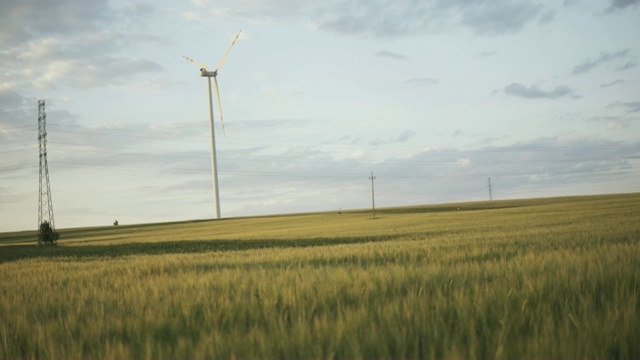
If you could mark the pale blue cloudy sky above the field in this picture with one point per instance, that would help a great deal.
(434, 97)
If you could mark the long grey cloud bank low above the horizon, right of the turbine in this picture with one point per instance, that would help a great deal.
(455, 174)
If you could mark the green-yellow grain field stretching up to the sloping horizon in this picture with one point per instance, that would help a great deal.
(540, 278)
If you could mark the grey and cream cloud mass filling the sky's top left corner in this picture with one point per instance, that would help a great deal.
(70, 43)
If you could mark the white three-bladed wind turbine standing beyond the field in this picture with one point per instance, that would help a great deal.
(206, 72)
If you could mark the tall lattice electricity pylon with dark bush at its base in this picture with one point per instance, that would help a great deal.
(46, 225)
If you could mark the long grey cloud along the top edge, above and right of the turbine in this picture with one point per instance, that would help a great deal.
(385, 19)
